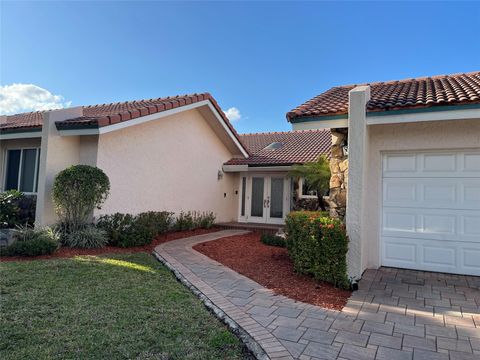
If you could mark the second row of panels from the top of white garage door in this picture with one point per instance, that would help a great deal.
(450, 193)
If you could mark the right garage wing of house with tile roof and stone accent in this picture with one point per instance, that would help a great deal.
(408, 152)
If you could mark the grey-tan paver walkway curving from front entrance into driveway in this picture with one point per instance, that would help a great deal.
(395, 314)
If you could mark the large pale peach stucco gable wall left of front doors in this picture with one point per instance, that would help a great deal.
(168, 164)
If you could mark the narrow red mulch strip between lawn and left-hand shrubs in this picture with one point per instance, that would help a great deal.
(66, 252)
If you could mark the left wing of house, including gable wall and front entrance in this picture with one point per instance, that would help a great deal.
(176, 153)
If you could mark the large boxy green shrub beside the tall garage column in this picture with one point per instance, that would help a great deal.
(318, 246)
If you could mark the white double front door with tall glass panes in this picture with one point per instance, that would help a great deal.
(264, 198)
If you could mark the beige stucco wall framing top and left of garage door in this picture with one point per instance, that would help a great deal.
(444, 135)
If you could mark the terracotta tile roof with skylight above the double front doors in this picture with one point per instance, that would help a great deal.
(296, 147)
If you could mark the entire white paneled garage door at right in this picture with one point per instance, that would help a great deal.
(431, 211)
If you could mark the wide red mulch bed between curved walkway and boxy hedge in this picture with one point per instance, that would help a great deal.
(271, 267)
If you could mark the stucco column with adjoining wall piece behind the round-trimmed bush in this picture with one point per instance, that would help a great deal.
(56, 153)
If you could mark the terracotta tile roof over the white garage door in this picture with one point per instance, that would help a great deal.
(394, 95)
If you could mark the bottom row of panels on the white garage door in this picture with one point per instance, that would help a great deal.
(424, 254)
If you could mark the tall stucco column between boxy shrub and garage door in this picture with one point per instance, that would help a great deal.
(357, 151)
